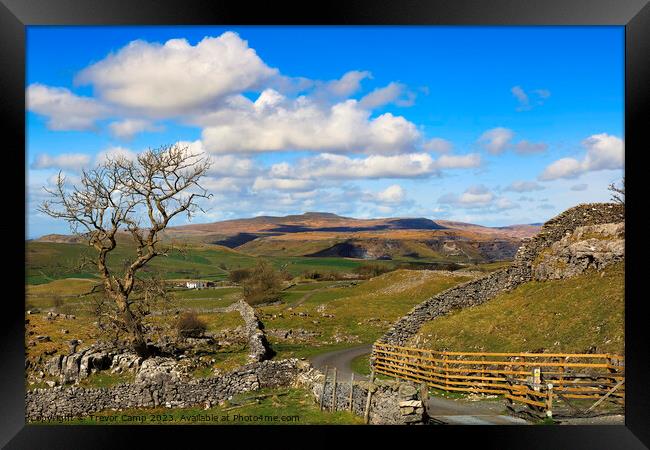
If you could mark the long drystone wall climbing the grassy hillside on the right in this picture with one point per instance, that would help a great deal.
(478, 291)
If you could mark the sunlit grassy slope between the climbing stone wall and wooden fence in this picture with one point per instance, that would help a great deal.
(570, 315)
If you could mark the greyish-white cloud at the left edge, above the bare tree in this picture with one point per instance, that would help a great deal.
(63, 109)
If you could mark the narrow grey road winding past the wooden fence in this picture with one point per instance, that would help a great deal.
(441, 410)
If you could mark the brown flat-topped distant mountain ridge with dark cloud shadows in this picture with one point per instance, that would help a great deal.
(319, 234)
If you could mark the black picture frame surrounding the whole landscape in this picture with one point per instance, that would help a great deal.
(634, 15)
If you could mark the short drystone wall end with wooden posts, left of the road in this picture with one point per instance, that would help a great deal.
(391, 402)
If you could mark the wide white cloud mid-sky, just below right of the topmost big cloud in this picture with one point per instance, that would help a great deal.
(276, 123)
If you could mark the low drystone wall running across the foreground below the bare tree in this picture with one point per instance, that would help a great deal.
(160, 389)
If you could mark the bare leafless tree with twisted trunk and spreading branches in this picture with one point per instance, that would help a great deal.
(135, 197)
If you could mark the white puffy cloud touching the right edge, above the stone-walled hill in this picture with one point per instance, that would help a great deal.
(603, 152)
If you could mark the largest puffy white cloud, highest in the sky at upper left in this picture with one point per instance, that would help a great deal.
(176, 77)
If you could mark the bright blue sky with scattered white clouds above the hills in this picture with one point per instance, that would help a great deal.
(490, 125)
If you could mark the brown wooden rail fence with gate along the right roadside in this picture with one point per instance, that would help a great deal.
(536, 380)
